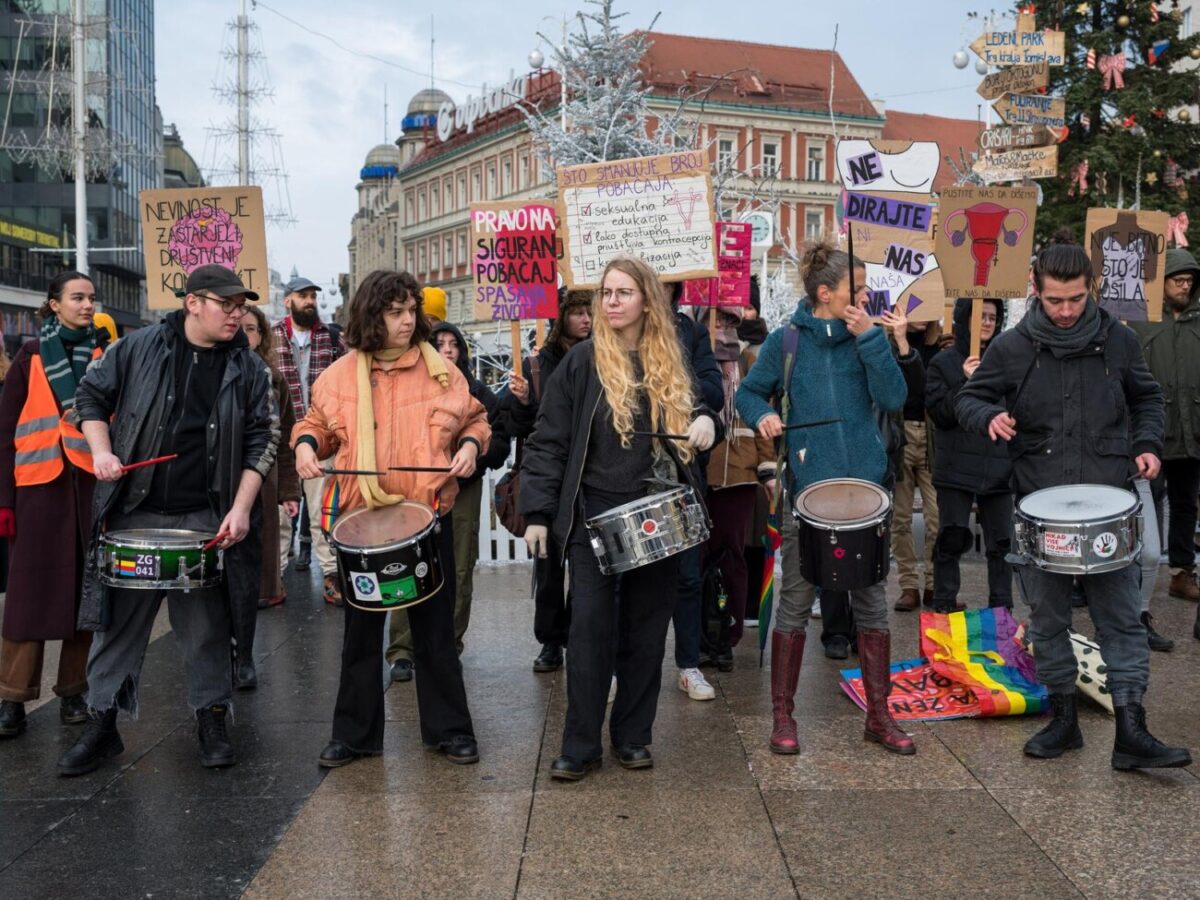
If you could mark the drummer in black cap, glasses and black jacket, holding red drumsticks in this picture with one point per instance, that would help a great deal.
(189, 387)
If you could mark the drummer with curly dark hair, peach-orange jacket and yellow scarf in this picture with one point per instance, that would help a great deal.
(395, 401)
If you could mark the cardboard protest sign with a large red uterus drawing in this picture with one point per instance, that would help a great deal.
(986, 241)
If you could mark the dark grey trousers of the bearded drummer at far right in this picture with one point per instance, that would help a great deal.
(1115, 607)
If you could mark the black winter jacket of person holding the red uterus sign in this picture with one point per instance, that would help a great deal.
(963, 460)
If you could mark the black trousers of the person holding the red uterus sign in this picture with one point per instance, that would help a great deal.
(955, 538)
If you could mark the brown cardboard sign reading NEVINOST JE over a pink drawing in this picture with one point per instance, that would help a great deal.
(187, 229)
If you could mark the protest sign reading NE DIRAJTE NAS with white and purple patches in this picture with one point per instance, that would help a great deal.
(889, 209)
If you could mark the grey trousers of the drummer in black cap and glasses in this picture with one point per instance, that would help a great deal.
(200, 620)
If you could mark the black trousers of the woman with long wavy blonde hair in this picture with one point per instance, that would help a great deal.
(622, 632)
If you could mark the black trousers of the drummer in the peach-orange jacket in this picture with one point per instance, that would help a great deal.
(441, 695)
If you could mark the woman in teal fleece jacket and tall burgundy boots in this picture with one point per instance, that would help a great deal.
(845, 371)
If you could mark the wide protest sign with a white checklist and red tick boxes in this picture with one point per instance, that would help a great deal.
(658, 208)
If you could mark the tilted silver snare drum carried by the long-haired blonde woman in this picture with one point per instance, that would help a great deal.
(649, 530)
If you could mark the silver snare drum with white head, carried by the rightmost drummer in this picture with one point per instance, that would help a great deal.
(1079, 530)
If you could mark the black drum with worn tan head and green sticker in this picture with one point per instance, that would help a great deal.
(388, 557)
